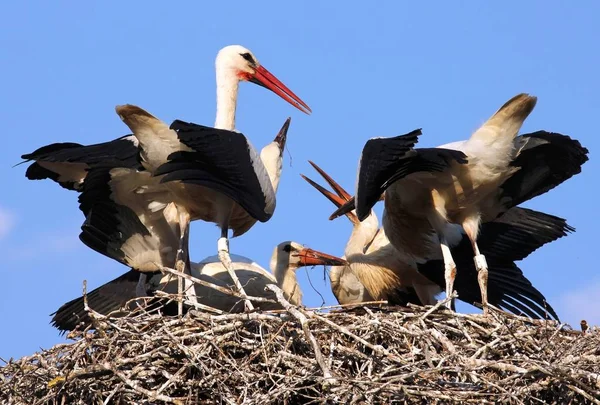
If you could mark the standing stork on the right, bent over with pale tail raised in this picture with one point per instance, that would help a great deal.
(503, 170)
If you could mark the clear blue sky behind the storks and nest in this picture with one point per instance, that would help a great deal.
(365, 68)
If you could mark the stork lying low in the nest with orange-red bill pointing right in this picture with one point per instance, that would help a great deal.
(286, 259)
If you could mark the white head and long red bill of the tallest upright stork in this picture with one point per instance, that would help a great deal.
(239, 62)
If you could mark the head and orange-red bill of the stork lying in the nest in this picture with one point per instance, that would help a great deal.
(293, 255)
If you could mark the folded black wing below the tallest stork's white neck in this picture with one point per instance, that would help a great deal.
(220, 161)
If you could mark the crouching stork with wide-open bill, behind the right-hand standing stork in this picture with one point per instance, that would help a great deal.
(374, 265)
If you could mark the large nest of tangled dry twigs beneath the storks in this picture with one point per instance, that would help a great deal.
(367, 354)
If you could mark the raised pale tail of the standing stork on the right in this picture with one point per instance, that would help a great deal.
(507, 121)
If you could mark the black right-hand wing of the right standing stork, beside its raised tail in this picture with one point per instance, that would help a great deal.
(546, 160)
